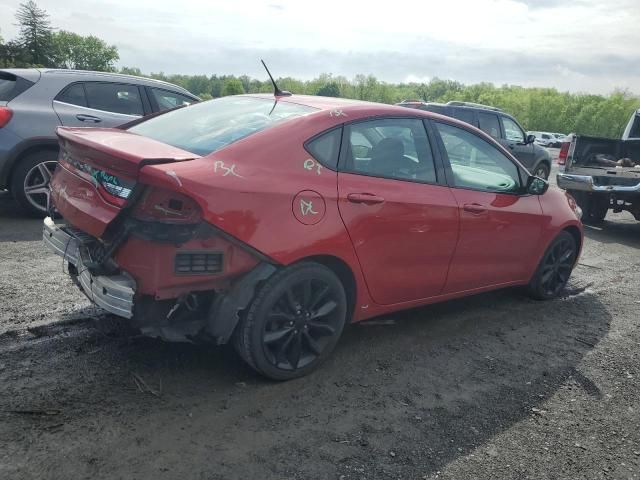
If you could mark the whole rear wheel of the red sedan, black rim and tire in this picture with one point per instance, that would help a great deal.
(294, 321)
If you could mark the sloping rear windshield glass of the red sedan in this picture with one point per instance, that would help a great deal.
(209, 126)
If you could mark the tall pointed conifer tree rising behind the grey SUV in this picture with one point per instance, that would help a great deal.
(35, 32)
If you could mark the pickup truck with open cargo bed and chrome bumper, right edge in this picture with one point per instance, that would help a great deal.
(603, 174)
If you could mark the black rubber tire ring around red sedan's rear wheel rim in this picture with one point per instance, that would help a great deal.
(264, 300)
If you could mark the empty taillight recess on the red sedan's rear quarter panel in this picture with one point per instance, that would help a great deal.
(166, 206)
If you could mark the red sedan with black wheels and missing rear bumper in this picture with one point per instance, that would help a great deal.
(274, 221)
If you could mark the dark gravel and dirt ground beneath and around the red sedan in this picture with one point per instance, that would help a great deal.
(495, 386)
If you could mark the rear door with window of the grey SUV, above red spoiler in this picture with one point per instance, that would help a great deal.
(98, 104)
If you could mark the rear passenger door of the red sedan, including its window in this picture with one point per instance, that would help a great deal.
(402, 219)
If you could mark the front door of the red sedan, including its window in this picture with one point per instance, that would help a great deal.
(500, 228)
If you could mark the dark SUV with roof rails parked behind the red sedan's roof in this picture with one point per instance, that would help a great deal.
(498, 124)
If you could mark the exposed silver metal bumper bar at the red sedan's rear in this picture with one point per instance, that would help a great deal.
(113, 293)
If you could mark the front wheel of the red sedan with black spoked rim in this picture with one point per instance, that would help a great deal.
(555, 268)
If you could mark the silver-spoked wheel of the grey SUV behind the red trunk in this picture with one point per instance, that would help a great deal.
(30, 181)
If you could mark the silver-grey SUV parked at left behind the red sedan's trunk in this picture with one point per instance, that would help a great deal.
(33, 102)
